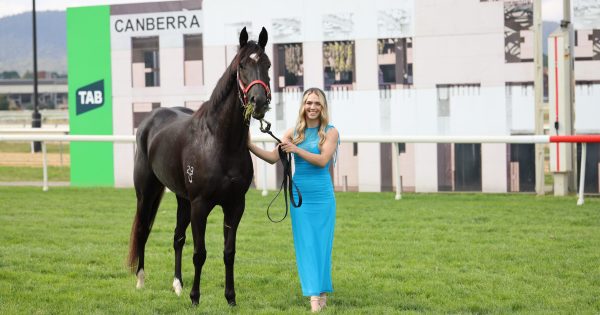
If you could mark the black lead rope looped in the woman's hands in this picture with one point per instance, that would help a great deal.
(287, 183)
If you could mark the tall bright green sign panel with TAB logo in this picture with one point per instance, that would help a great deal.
(90, 95)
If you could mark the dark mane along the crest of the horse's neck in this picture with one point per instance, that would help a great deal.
(227, 82)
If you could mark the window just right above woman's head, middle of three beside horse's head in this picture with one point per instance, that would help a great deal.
(339, 66)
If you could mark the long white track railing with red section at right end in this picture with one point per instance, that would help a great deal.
(584, 139)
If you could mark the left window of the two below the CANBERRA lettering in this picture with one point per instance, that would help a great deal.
(145, 62)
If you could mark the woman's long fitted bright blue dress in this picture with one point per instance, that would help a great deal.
(313, 222)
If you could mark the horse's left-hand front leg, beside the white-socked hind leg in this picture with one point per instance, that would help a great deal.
(199, 213)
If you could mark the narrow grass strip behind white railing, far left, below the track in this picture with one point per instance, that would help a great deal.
(27, 174)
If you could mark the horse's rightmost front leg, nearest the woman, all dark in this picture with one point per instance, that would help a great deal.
(232, 215)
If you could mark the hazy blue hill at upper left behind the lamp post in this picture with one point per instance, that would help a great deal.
(16, 38)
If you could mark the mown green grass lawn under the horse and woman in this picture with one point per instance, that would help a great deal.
(63, 252)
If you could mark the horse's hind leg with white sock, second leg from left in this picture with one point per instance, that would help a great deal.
(183, 220)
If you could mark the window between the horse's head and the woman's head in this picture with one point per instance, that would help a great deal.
(289, 67)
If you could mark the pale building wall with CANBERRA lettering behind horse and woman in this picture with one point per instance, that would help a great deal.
(458, 47)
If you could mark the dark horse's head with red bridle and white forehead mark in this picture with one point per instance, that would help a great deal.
(253, 74)
